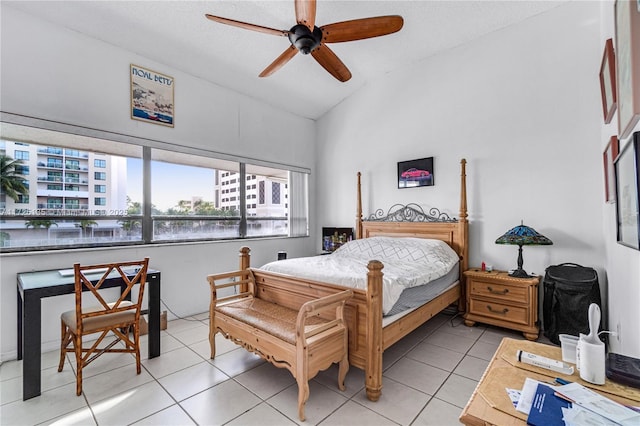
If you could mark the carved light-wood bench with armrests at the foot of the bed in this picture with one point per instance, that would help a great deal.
(304, 341)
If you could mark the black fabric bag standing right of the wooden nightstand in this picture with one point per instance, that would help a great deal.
(569, 289)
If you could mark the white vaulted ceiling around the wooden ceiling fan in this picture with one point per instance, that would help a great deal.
(177, 34)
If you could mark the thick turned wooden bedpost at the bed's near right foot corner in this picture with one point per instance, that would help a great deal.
(373, 366)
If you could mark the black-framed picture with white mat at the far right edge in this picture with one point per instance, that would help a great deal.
(627, 194)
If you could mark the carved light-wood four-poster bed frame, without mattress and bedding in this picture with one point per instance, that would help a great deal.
(368, 338)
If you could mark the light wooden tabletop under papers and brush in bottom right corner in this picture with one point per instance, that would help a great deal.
(489, 403)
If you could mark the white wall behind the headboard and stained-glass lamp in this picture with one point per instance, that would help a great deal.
(522, 105)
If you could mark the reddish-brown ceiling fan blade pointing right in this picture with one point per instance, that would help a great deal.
(359, 29)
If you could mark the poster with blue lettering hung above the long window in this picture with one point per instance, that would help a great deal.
(151, 96)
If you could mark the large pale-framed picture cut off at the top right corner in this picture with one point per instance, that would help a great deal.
(627, 31)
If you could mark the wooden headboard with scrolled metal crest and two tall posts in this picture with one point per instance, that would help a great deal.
(411, 221)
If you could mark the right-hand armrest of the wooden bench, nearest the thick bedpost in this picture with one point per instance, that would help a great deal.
(314, 307)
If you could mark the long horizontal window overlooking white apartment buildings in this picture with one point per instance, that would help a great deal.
(192, 195)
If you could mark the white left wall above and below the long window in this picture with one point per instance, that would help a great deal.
(55, 74)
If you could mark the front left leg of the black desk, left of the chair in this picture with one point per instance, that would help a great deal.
(31, 363)
